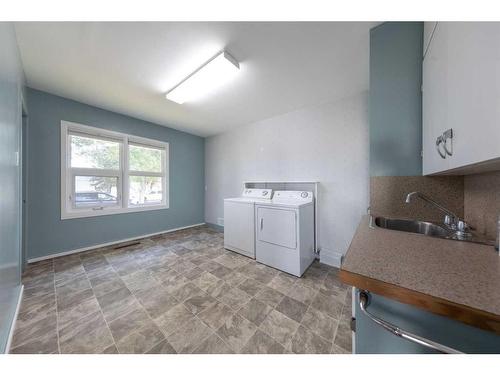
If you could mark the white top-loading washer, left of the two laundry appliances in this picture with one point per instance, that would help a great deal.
(239, 220)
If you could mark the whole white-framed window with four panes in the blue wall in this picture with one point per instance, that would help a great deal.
(104, 172)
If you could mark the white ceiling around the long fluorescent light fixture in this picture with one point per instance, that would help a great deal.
(128, 67)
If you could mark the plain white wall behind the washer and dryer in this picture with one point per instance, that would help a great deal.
(326, 143)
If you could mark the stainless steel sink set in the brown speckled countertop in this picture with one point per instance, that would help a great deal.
(427, 229)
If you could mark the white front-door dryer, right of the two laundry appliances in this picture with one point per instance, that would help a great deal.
(285, 231)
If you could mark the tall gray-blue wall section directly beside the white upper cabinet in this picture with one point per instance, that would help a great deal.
(396, 99)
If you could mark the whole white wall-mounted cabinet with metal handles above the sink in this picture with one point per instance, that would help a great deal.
(461, 91)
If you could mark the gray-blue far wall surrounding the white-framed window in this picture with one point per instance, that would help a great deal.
(47, 233)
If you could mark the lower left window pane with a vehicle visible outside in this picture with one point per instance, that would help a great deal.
(95, 191)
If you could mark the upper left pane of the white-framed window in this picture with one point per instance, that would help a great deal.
(94, 153)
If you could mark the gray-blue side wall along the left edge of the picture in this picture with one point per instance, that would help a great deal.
(11, 83)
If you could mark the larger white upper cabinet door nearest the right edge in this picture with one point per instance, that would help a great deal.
(474, 88)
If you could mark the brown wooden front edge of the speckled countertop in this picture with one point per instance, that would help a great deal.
(465, 314)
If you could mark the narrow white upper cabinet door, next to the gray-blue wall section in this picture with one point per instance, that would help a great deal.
(434, 100)
